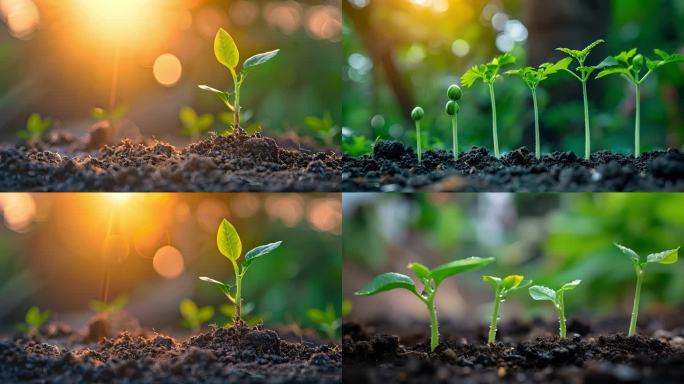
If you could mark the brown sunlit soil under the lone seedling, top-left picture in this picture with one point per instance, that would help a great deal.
(239, 162)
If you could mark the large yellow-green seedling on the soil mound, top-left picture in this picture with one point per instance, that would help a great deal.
(227, 53)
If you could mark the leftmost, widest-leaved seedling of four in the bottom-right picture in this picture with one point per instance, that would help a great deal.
(431, 279)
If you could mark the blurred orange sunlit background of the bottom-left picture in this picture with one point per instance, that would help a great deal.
(51, 254)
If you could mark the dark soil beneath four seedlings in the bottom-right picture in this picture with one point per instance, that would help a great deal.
(522, 357)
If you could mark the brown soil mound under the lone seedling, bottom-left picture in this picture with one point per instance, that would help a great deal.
(233, 355)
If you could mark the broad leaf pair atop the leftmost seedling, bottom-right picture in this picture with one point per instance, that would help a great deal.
(393, 280)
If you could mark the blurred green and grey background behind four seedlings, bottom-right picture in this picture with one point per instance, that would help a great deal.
(550, 238)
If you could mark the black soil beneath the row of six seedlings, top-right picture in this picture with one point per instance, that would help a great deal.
(395, 167)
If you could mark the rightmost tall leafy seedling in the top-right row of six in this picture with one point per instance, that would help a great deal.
(630, 64)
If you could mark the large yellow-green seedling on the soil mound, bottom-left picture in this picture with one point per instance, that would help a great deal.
(230, 246)
